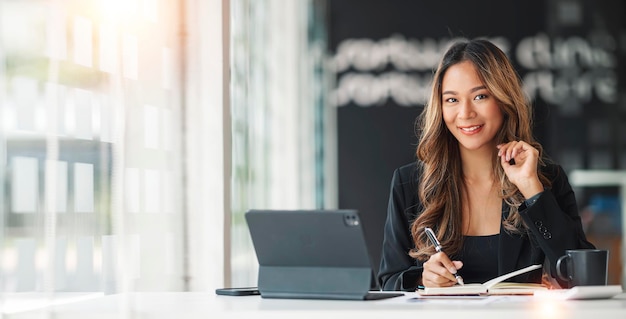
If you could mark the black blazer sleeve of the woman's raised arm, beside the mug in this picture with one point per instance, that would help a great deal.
(553, 220)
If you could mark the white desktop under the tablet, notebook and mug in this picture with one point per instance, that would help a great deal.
(208, 305)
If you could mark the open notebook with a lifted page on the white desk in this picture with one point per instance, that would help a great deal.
(495, 286)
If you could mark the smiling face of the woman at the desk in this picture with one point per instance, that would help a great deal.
(470, 112)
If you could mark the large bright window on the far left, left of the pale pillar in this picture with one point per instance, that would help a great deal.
(90, 105)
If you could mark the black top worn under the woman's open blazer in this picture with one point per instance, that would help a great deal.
(480, 258)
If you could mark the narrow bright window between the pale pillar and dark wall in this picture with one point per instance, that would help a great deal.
(281, 158)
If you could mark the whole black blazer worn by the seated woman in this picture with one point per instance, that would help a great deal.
(553, 221)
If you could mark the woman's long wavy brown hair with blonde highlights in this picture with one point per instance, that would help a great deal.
(441, 182)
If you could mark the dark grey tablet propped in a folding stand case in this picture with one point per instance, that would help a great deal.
(311, 254)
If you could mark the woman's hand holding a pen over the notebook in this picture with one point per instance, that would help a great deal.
(438, 271)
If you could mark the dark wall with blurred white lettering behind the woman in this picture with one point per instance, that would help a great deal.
(568, 52)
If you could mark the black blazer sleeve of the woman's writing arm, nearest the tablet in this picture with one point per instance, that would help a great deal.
(398, 270)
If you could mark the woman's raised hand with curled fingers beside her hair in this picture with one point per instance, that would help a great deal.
(522, 170)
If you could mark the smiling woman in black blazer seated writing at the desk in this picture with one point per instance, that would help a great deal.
(481, 182)
